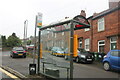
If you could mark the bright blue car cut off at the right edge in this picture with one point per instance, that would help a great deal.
(112, 60)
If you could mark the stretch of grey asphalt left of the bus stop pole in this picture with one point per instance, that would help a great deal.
(19, 64)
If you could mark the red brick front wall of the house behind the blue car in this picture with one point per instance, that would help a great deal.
(111, 28)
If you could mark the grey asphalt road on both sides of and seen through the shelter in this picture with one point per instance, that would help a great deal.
(80, 70)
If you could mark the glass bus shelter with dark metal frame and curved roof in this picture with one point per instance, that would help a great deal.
(55, 42)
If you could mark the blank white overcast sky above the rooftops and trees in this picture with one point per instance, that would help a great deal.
(13, 13)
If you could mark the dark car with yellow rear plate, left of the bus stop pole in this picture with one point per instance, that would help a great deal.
(18, 52)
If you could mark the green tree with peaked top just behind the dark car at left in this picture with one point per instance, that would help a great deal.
(13, 40)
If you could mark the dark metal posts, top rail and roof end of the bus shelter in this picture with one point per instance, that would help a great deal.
(81, 24)
